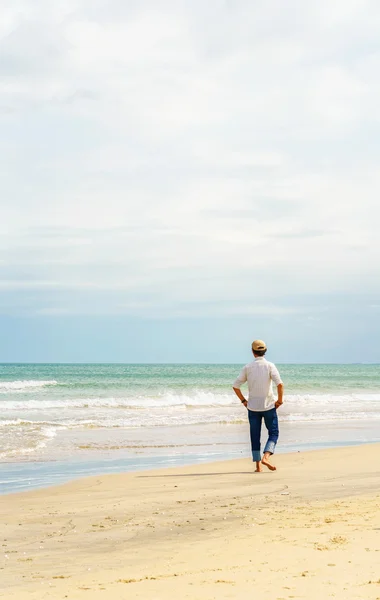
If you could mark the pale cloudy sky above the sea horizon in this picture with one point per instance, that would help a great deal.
(180, 177)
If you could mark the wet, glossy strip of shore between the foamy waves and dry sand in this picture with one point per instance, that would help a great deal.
(73, 454)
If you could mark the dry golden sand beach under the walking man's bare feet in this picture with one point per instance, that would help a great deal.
(310, 530)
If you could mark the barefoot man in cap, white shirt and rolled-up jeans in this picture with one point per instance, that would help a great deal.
(261, 403)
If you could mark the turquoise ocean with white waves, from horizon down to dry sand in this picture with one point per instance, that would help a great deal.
(62, 421)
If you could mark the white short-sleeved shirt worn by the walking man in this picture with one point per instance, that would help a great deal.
(259, 374)
